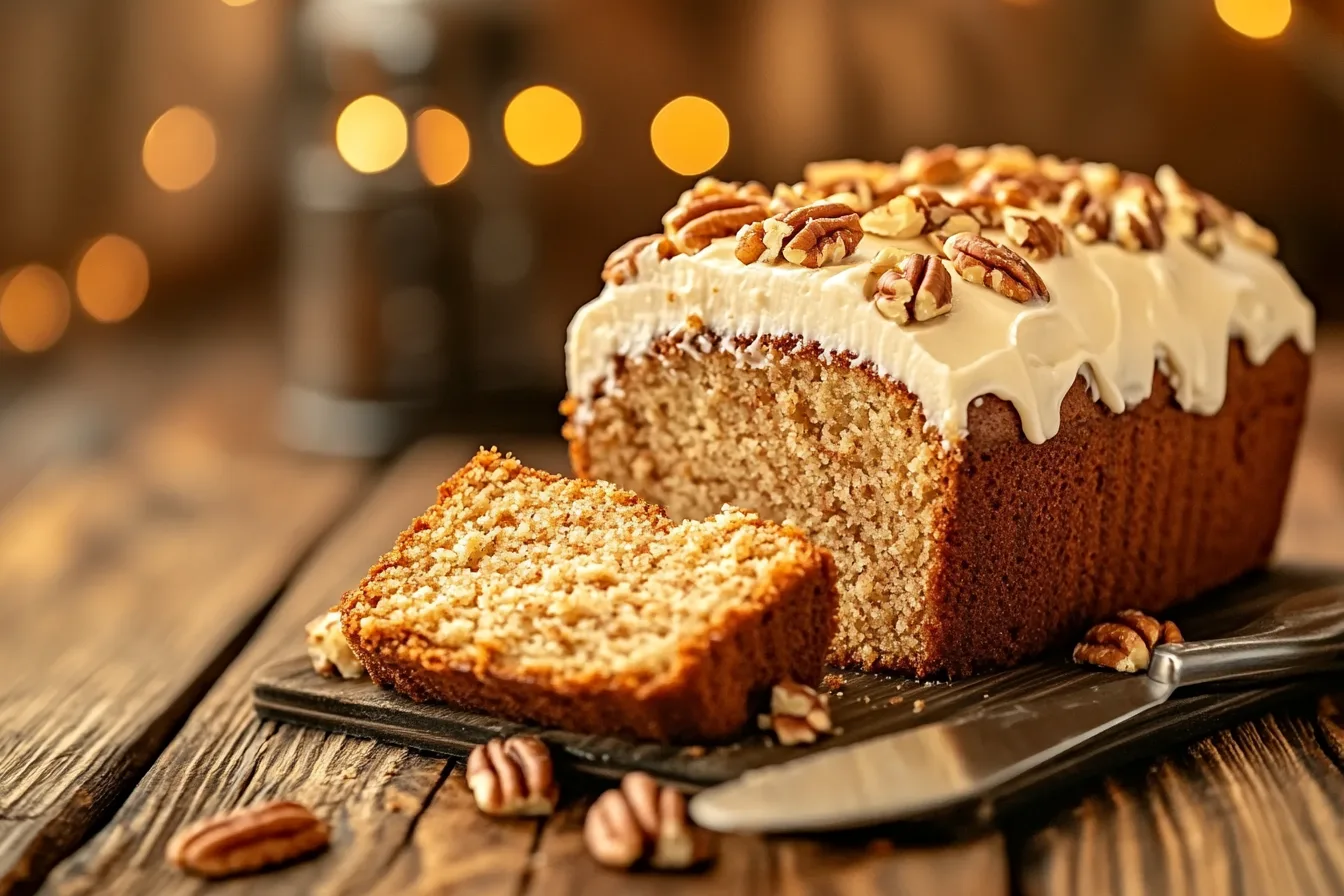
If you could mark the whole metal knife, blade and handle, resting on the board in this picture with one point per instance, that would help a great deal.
(943, 765)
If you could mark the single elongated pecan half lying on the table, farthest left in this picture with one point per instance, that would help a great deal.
(248, 840)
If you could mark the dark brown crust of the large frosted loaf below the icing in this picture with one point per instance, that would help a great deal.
(1143, 510)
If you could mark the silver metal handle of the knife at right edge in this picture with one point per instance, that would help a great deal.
(1302, 635)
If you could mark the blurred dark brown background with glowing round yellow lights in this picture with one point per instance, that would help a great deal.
(409, 199)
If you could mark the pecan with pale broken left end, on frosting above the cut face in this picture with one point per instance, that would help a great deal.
(812, 236)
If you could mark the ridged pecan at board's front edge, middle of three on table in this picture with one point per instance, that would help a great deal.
(513, 777)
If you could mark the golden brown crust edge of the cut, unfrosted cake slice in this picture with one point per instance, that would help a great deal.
(782, 632)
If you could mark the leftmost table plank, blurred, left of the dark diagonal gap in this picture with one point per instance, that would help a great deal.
(130, 578)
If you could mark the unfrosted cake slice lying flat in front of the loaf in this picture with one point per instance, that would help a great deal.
(579, 605)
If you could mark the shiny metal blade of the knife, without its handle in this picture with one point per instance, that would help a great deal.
(925, 769)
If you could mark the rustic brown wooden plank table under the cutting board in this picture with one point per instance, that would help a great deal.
(158, 547)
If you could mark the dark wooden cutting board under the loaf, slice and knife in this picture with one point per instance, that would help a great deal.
(864, 706)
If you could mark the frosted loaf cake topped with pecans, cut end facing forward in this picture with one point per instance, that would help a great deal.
(1013, 394)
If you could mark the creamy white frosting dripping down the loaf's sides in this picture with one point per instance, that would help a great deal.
(1114, 315)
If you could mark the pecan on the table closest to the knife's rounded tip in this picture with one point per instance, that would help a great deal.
(642, 820)
